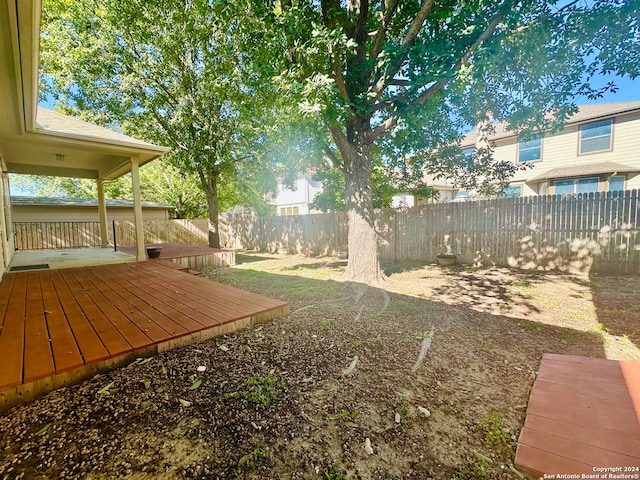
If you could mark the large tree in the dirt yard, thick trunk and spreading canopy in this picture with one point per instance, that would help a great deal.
(401, 79)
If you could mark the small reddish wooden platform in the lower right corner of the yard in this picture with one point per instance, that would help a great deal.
(583, 415)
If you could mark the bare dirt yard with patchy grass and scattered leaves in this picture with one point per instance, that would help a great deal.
(337, 389)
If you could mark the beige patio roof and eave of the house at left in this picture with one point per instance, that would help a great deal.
(38, 141)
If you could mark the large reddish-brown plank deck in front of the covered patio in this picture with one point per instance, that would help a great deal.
(59, 326)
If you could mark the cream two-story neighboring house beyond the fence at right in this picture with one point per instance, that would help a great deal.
(597, 151)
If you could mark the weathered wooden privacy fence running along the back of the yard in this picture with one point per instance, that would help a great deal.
(597, 231)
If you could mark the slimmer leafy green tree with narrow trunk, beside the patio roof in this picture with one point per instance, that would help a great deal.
(173, 72)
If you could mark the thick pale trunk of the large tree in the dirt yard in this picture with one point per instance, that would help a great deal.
(363, 264)
